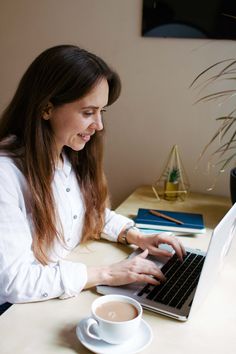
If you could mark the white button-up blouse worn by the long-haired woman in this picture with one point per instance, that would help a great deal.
(22, 277)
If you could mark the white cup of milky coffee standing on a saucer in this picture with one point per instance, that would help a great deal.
(115, 319)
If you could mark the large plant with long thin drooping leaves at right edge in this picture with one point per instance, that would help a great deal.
(225, 154)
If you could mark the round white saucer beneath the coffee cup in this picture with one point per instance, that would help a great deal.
(135, 344)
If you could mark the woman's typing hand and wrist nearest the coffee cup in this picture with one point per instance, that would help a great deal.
(136, 269)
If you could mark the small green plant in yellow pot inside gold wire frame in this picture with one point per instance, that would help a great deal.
(172, 183)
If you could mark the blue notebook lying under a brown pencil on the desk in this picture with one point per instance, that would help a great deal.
(187, 222)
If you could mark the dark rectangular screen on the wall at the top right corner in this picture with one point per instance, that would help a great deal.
(189, 18)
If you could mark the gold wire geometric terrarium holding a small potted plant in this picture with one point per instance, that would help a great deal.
(173, 183)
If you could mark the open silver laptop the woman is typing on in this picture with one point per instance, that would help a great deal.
(188, 282)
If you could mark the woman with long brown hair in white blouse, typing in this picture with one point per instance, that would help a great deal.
(53, 192)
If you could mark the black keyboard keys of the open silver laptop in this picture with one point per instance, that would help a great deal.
(181, 280)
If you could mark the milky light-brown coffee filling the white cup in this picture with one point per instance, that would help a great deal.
(117, 311)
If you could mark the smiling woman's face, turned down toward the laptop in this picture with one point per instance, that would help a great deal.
(74, 123)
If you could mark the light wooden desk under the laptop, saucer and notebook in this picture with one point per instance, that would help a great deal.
(49, 327)
